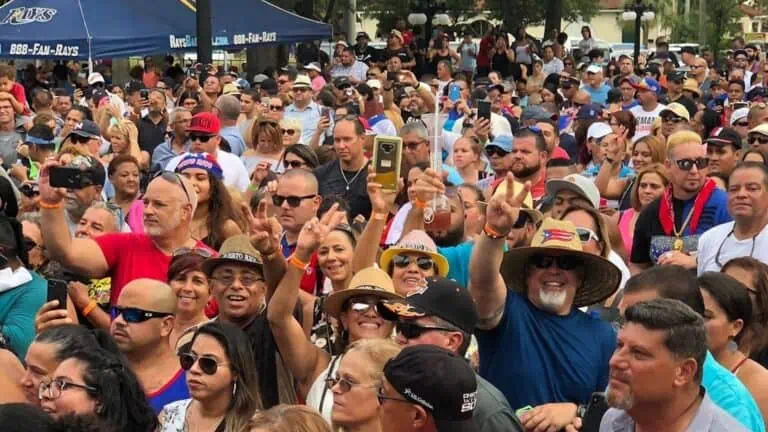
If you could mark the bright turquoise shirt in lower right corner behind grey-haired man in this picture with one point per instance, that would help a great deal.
(728, 392)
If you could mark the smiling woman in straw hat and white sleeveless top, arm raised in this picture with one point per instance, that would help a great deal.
(354, 308)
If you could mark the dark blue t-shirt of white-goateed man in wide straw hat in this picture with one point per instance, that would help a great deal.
(535, 357)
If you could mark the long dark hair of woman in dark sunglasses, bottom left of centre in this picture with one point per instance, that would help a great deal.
(246, 399)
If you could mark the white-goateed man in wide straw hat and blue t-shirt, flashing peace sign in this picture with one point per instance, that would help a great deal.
(534, 343)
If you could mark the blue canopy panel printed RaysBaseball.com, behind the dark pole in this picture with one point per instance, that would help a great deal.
(238, 24)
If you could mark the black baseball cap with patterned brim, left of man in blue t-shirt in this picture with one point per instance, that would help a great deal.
(439, 297)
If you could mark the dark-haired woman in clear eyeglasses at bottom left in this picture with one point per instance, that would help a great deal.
(97, 381)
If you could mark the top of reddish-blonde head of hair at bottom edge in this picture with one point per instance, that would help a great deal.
(289, 418)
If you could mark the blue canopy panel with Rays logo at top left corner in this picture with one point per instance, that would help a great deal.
(83, 29)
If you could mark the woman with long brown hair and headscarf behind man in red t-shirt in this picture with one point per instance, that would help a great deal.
(215, 218)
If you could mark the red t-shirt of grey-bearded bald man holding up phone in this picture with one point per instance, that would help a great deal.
(134, 256)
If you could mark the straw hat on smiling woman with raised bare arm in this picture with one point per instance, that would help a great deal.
(370, 281)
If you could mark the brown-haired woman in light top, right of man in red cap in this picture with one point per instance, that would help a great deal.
(267, 147)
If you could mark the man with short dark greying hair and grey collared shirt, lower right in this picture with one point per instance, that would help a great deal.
(656, 373)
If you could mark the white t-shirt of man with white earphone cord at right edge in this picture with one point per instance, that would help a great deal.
(721, 238)
